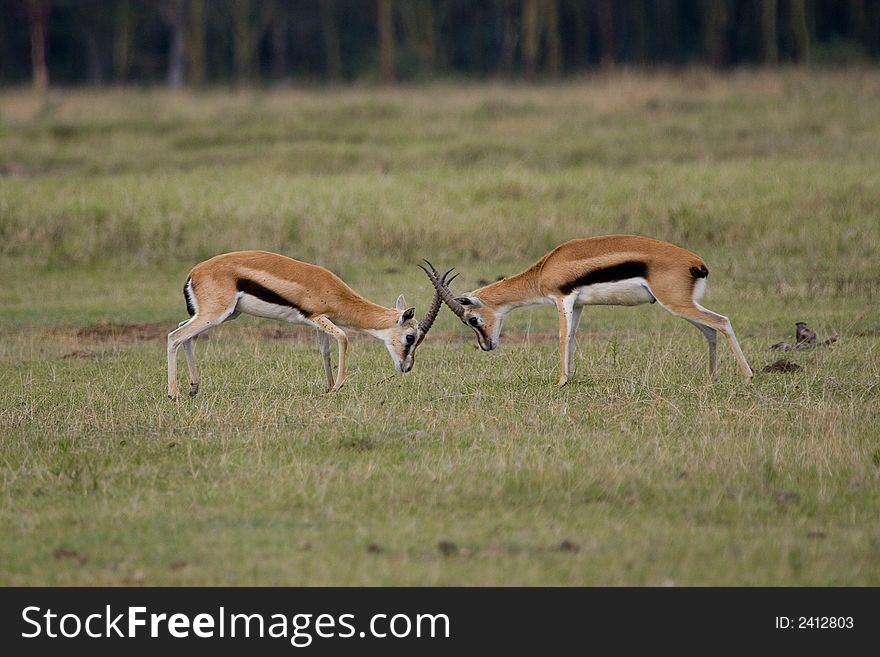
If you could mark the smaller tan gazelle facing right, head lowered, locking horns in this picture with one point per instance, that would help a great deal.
(270, 285)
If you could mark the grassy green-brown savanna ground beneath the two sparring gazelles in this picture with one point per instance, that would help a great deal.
(474, 468)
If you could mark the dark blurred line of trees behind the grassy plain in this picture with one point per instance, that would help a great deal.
(198, 42)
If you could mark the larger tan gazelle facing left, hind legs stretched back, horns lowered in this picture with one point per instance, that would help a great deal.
(621, 270)
